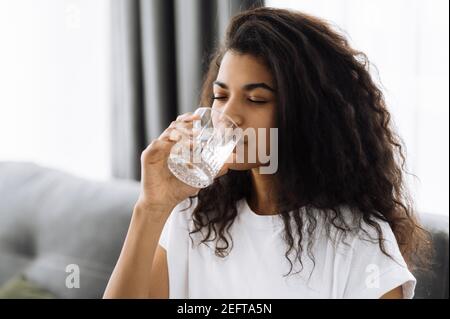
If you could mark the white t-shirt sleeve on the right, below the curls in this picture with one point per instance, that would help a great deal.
(372, 273)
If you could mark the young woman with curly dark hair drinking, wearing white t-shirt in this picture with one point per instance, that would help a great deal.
(334, 220)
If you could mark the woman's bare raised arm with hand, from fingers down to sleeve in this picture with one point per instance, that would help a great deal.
(141, 271)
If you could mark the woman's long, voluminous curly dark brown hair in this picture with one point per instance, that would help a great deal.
(337, 147)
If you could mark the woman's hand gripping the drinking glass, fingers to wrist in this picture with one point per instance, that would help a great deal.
(160, 189)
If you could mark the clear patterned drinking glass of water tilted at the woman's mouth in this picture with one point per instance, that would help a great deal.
(198, 160)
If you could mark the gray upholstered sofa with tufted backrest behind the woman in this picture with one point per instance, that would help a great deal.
(50, 219)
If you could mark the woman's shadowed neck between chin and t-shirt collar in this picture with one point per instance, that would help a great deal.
(263, 199)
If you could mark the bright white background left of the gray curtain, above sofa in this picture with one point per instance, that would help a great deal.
(54, 84)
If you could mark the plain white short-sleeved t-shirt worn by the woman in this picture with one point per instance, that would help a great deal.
(256, 265)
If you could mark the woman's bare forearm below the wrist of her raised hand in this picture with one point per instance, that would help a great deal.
(131, 275)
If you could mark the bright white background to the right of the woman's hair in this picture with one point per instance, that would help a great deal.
(408, 41)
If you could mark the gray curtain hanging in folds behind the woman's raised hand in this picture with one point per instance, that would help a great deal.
(160, 51)
